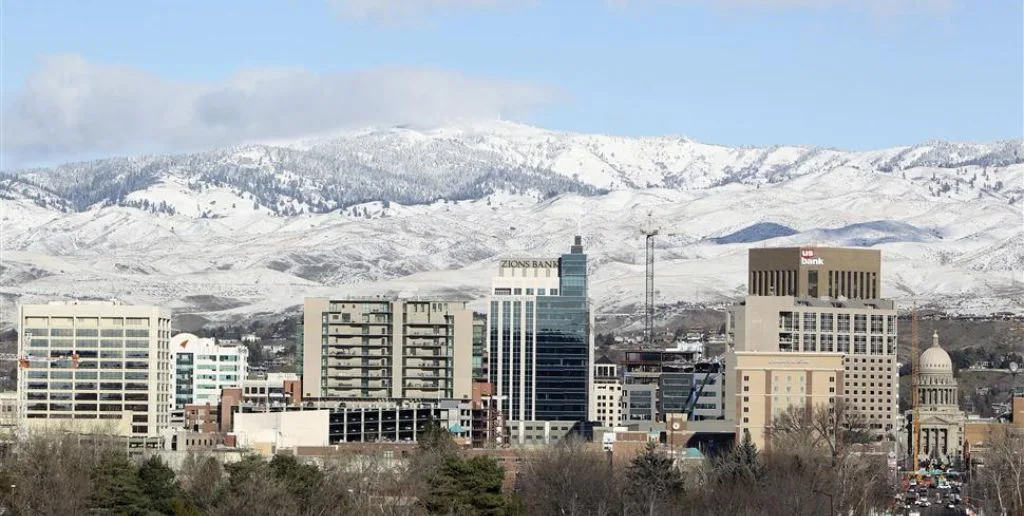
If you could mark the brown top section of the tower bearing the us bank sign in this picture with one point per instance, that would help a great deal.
(816, 273)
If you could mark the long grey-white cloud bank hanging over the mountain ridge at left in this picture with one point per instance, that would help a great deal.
(71, 107)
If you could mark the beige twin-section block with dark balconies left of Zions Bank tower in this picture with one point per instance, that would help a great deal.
(378, 349)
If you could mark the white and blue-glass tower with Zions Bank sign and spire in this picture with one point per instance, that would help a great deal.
(542, 347)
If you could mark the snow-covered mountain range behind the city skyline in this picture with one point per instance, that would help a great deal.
(253, 230)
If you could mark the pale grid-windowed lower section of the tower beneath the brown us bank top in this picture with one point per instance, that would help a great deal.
(864, 332)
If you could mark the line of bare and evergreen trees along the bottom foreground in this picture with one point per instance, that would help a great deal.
(814, 468)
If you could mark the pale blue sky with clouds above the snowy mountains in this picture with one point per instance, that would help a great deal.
(93, 79)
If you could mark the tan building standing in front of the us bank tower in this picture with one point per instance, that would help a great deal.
(760, 386)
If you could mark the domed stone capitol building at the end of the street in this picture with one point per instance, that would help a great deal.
(942, 419)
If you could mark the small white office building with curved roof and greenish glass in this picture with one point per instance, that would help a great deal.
(202, 369)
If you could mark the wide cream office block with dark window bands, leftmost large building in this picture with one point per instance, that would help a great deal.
(91, 366)
